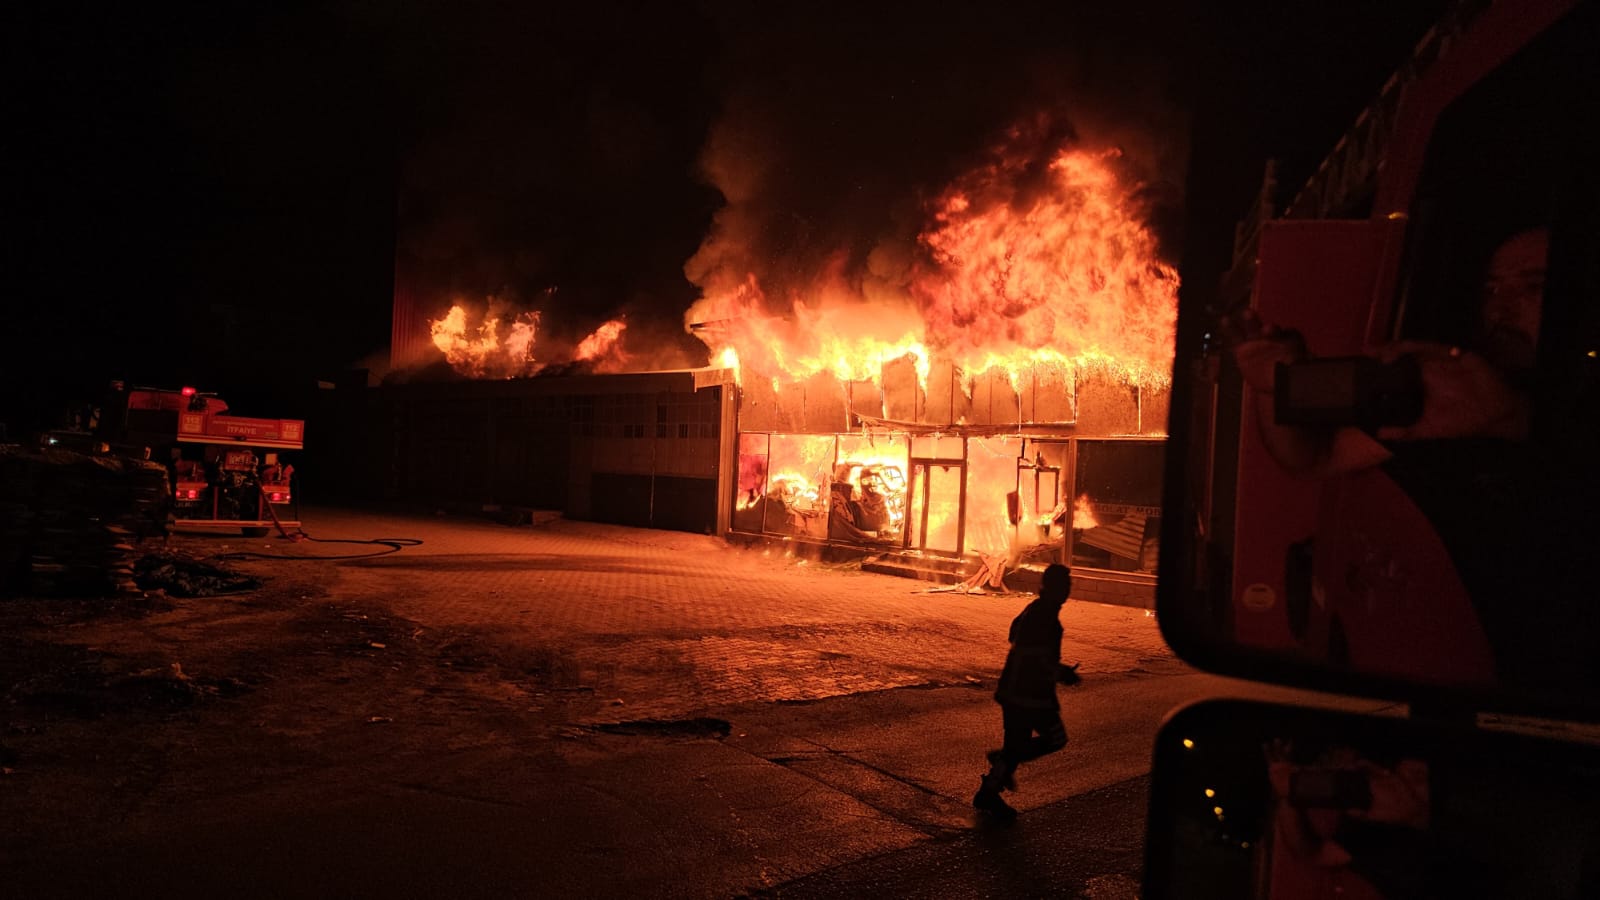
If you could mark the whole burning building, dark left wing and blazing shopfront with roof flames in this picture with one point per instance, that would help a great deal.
(988, 388)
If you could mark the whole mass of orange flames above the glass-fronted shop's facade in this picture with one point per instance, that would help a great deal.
(1025, 265)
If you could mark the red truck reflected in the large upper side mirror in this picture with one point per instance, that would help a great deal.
(1386, 569)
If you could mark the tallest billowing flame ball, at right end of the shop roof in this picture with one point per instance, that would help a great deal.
(1062, 271)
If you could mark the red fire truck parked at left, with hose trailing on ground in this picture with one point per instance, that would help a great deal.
(226, 472)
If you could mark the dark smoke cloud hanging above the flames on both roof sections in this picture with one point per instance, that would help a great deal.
(633, 158)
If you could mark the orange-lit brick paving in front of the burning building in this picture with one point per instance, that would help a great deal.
(670, 625)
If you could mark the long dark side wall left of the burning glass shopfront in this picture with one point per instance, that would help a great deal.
(628, 449)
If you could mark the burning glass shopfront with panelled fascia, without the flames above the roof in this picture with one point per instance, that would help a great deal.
(996, 476)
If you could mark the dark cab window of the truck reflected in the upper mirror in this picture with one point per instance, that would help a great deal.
(1513, 156)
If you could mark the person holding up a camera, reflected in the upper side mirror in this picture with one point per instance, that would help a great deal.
(1506, 504)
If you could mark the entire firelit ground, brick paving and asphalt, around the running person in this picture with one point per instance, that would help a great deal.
(582, 710)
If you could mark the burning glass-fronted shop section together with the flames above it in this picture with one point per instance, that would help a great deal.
(993, 395)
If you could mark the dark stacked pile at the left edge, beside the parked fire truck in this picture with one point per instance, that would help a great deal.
(70, 521)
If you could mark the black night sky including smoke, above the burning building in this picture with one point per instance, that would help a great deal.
(217, 195)
